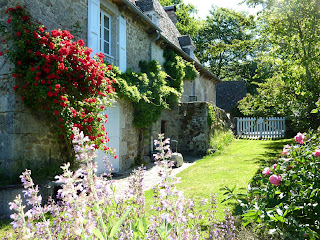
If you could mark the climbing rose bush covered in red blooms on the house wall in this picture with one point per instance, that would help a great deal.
(57, 77)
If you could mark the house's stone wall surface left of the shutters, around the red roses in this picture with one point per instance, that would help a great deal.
(25, 139)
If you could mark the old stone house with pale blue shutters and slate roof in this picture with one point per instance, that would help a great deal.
(126, 31)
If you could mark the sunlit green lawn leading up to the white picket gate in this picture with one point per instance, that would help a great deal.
(235, 165)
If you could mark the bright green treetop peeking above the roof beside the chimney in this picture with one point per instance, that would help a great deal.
(187, 24)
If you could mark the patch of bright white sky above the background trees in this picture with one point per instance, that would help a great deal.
(203, 6)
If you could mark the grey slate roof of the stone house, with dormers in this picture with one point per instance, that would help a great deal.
(168, 31)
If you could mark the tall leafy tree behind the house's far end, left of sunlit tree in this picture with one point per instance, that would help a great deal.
(226, 45)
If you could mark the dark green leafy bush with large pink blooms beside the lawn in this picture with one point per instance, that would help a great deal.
(284, 198)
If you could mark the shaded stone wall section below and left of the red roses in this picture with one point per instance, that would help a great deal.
(25, 140)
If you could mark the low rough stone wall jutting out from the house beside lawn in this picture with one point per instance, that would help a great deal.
(188, 124)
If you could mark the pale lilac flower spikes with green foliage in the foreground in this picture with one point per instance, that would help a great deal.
(88, 209)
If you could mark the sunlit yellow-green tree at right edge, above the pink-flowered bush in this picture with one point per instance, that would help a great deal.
(291, 32)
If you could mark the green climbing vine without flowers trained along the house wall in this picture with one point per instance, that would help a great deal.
(153, 90)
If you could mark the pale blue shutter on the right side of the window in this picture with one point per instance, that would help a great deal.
(122, 44)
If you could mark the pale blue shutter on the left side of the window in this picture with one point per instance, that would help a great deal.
(94, 25)
